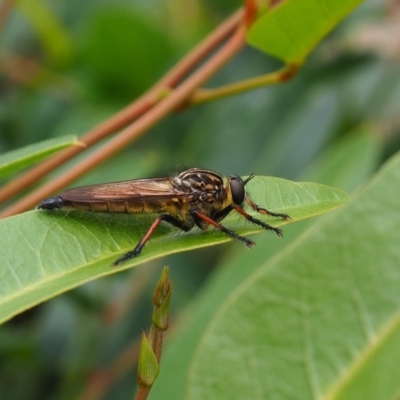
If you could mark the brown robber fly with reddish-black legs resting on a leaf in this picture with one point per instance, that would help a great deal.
(195, 197)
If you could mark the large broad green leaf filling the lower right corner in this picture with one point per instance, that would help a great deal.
(319, 320)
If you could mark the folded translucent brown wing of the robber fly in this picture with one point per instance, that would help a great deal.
(143, 189)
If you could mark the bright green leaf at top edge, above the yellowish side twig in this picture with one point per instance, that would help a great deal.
(291, 30)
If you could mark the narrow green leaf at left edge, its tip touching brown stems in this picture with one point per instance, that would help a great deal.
(16, 160)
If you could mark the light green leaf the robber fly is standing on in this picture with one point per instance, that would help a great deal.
(45, 253)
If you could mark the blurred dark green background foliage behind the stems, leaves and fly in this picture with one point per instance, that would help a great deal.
(67, 66)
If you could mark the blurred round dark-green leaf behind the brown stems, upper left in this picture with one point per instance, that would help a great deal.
(124, 51)
